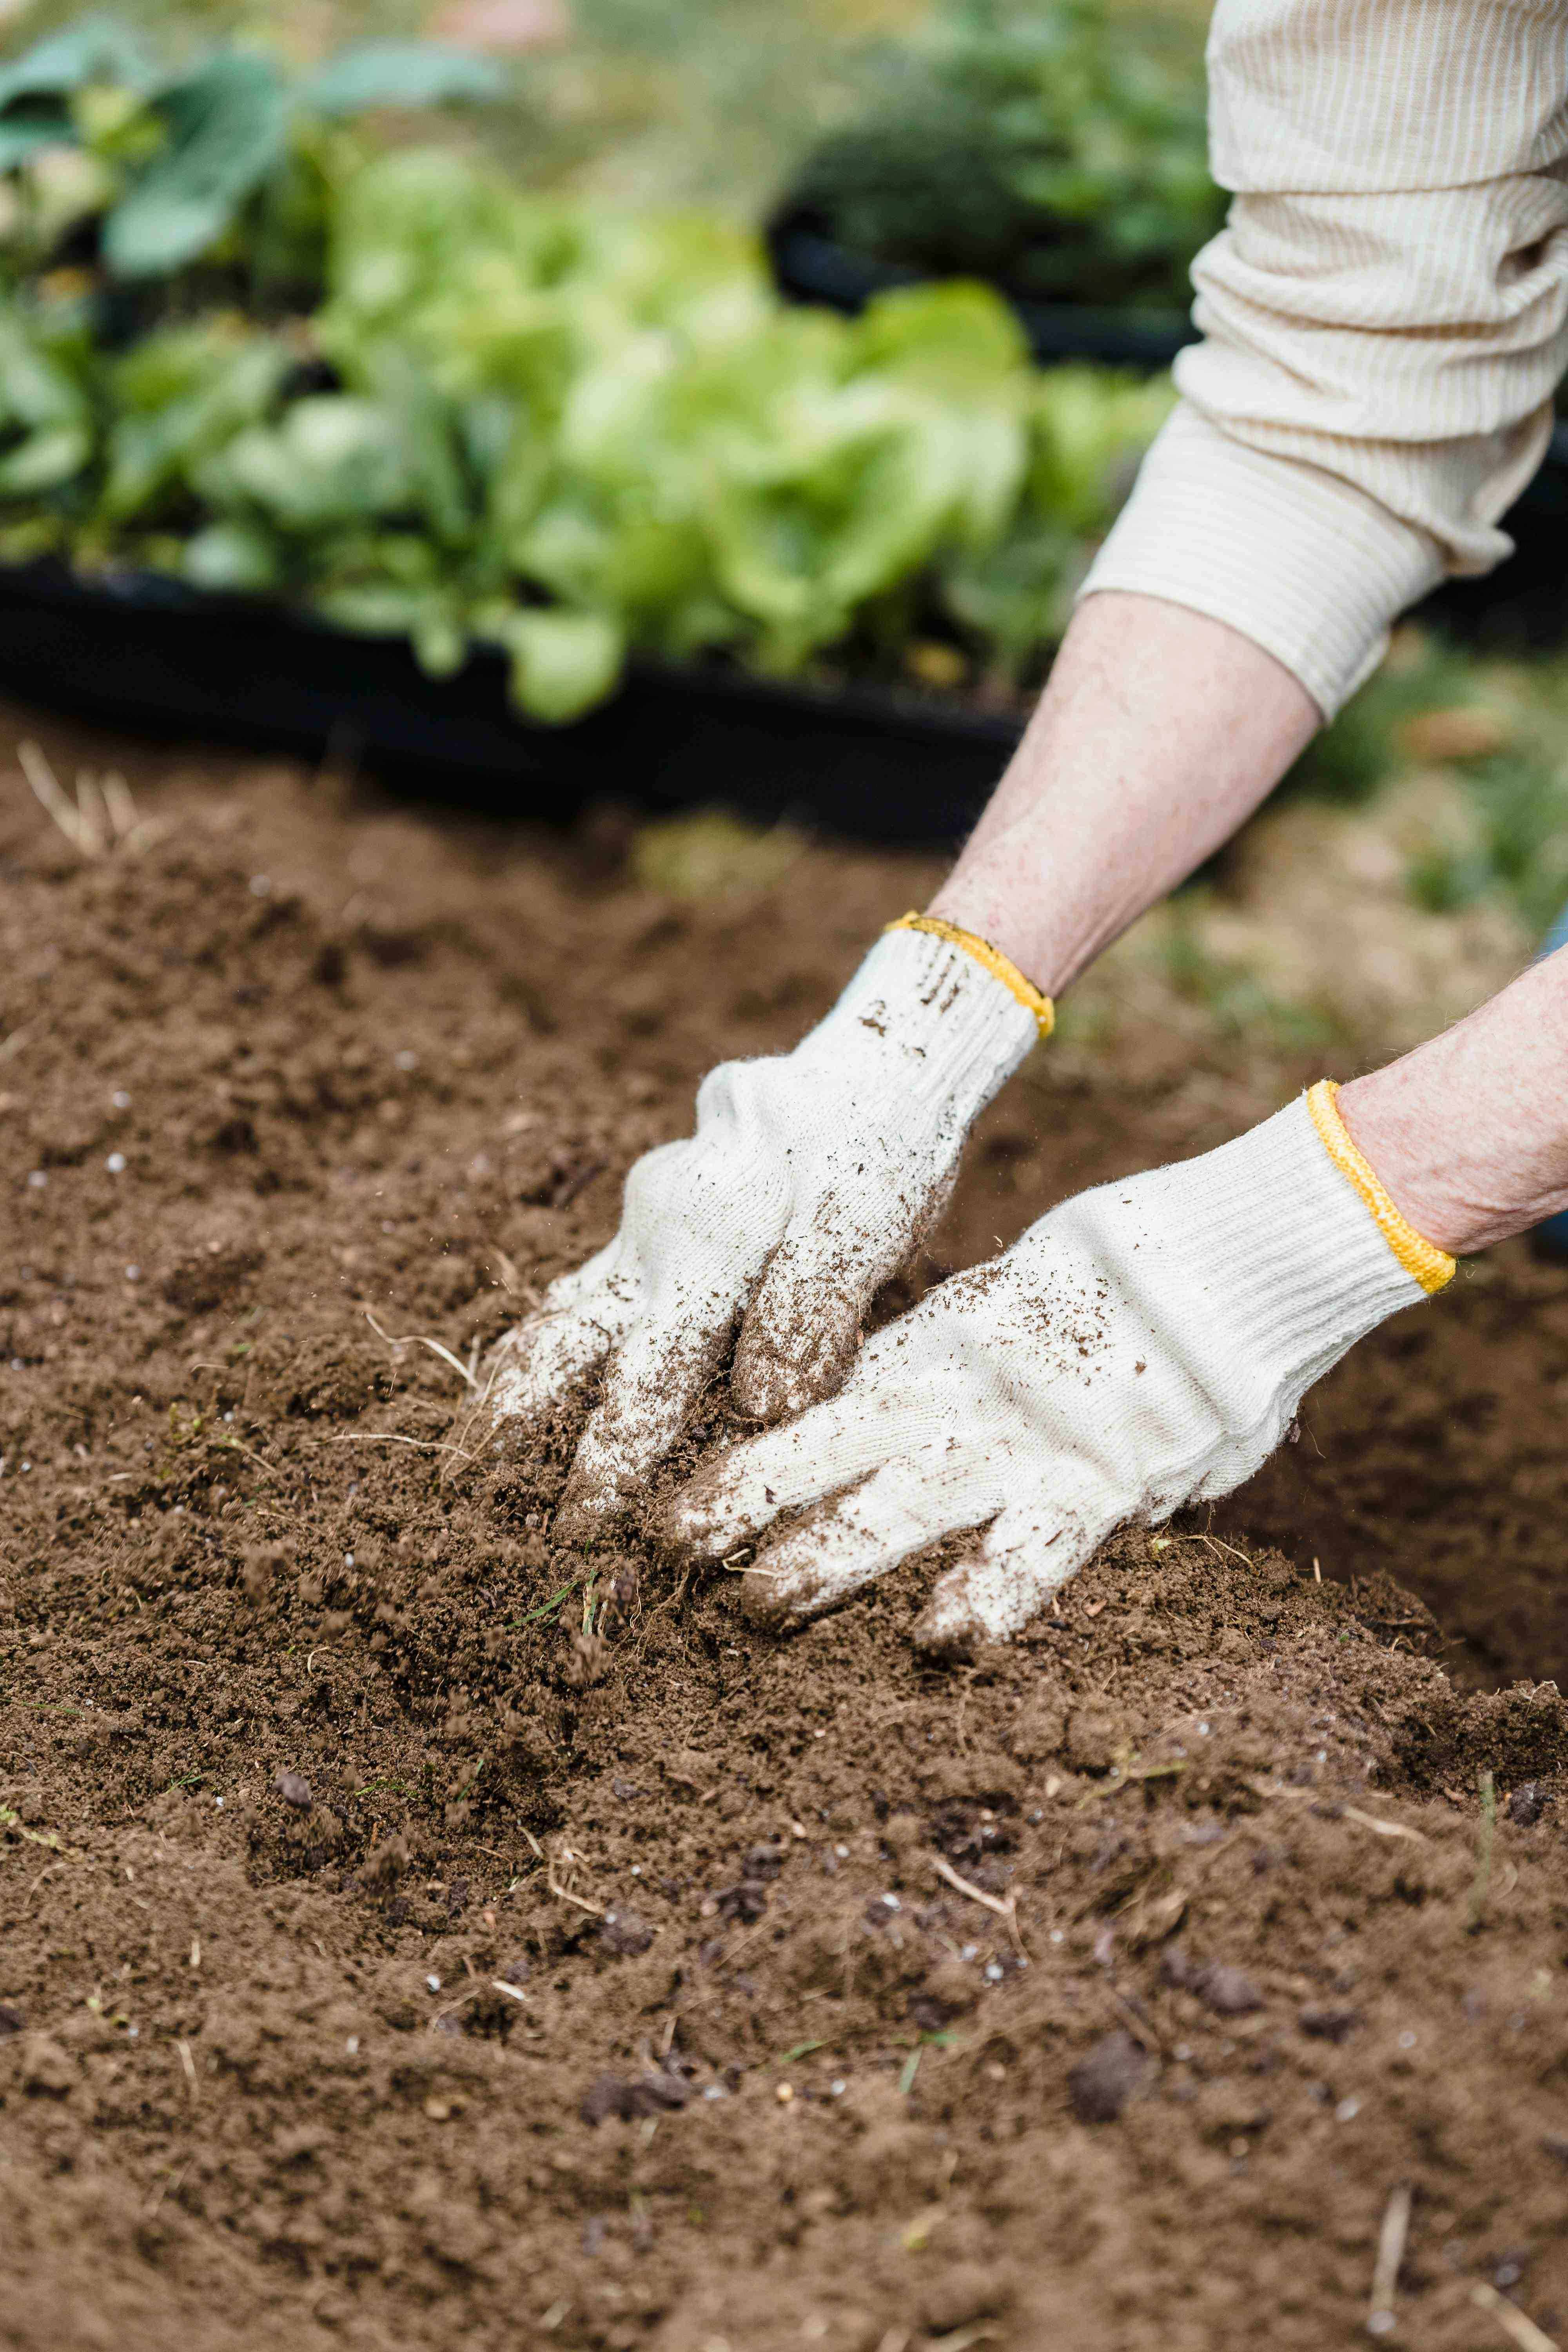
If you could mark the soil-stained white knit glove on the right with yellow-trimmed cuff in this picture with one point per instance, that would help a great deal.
(1139, 1349)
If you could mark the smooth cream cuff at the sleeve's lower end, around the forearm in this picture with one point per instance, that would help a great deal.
(1282, 552)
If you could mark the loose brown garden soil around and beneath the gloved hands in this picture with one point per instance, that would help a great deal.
(384, 1963)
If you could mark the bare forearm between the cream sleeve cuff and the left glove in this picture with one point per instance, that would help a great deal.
(1155, 740)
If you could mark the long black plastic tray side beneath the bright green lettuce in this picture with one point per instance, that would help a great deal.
(161, 660)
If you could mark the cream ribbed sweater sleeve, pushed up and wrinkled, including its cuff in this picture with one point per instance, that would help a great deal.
(1386, 319)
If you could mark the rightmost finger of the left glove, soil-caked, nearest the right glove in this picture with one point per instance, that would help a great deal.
(803, 1330)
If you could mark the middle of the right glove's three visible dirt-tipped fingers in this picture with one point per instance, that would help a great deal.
(843, 1546)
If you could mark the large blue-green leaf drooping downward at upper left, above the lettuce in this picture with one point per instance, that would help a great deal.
(227, 131)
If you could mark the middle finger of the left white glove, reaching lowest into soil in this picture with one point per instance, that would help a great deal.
(650, 1394)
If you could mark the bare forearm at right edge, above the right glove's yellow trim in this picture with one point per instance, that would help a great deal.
(1470, 1132)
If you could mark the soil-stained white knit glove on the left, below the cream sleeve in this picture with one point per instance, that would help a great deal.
(808, 1184)
